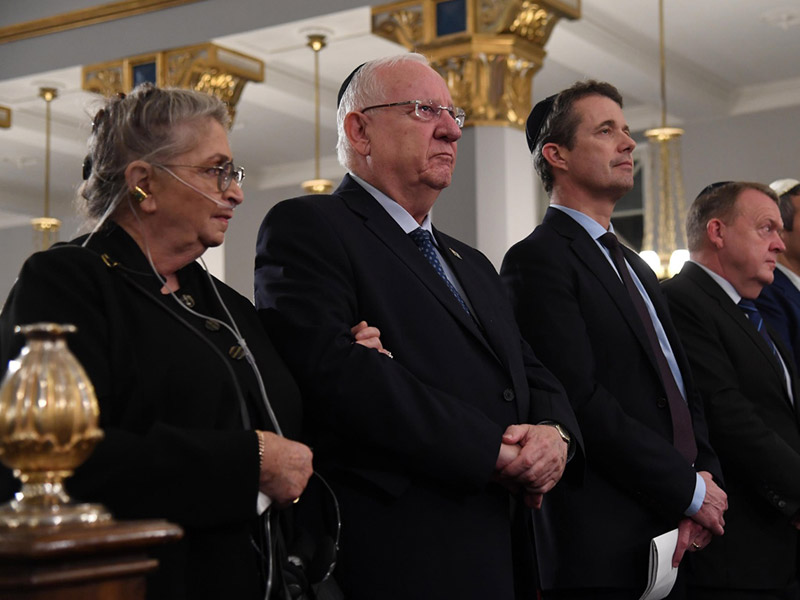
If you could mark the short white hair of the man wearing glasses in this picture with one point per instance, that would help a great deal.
(364, 90)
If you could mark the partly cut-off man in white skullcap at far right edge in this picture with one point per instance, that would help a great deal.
(779, 302)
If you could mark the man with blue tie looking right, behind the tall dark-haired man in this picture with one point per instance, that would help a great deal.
(747, 380)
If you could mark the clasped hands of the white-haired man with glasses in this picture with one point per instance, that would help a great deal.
(531, 460)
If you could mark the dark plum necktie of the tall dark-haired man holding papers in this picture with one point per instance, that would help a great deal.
(683, 434)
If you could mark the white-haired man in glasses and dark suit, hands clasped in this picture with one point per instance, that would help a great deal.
(419, 442)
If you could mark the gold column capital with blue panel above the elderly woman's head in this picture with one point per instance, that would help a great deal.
(204, 67)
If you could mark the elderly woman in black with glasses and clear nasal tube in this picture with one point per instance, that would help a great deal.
(188, 383)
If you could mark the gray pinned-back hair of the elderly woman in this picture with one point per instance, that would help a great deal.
(144, 125)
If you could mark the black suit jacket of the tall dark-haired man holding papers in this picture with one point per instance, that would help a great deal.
(575, 312)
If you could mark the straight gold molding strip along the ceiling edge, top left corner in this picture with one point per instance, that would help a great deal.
(83, 17)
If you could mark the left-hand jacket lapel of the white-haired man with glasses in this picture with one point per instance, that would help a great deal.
(381, 224)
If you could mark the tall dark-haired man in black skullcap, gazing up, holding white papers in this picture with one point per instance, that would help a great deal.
(594, 314)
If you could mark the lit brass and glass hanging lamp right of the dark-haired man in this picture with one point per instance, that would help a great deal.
(664, 247)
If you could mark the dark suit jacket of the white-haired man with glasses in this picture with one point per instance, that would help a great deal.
(410, 442)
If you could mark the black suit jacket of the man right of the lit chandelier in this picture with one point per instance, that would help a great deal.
(754, 429)
